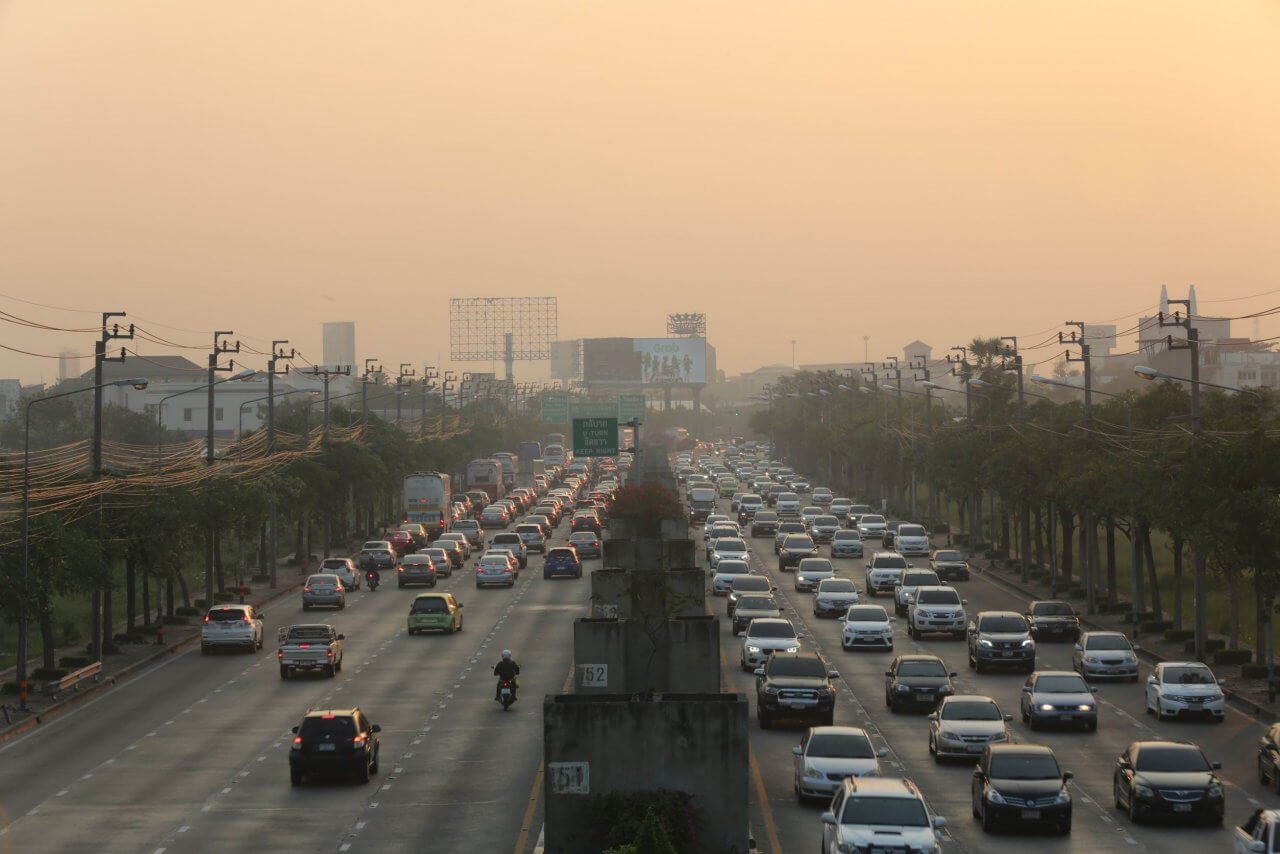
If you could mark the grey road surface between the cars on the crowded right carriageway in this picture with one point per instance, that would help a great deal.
(783, 825)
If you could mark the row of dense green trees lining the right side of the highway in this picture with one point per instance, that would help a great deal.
(1132, 473)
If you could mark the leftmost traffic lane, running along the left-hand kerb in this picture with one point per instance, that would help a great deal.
(94, 734)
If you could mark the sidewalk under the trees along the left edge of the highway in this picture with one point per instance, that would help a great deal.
(120, 666)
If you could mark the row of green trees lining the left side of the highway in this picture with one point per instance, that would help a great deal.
(148, 546)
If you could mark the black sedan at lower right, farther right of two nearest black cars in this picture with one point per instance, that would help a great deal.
(1169, 779)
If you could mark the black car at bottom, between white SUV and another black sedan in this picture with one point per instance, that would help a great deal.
(1021, 784)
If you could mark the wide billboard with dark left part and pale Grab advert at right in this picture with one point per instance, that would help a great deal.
(646, 362)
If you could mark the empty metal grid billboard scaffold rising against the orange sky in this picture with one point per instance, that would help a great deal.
(484, 330)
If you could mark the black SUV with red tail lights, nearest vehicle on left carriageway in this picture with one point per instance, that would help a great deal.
(335, 743)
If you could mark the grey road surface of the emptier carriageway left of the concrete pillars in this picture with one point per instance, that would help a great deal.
(194, 756)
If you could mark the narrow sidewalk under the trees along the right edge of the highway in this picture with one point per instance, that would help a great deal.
(1250, 696)
